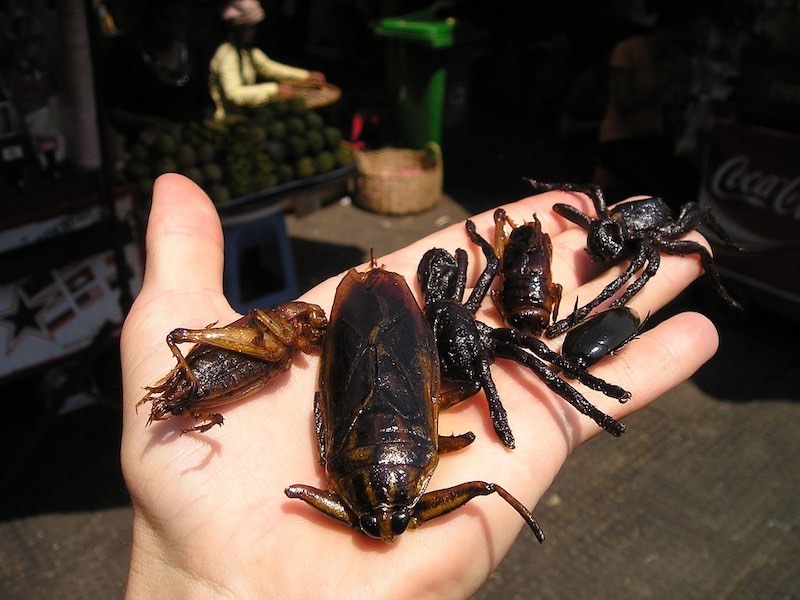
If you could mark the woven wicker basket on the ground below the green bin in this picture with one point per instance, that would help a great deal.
(399, 181)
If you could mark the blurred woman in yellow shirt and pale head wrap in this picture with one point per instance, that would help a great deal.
(241, 75)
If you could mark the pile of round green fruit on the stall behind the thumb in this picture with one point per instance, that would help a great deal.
(274, 144)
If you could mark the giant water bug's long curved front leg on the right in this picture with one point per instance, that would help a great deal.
(440, 502)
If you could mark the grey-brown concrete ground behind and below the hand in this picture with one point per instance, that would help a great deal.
(699, 499)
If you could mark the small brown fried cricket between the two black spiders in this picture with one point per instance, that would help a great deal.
(528, 296)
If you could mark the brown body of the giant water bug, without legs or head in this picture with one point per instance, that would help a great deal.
(377, 408)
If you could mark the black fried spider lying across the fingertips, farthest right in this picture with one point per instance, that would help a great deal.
(639, 230)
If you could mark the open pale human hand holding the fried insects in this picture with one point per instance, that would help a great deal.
(210, 516)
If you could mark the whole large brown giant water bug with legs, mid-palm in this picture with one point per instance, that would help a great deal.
(376, 414)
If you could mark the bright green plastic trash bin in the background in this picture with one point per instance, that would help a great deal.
(428, 59)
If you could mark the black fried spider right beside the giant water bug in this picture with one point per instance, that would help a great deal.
(467, 347)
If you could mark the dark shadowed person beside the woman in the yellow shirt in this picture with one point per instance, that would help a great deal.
(152, 75)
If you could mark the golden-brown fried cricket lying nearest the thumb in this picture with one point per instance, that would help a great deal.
(229, 362)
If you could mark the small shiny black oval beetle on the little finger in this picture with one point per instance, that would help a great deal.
(600, 335)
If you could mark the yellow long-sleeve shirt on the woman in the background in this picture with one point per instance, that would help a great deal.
(233, 75)
